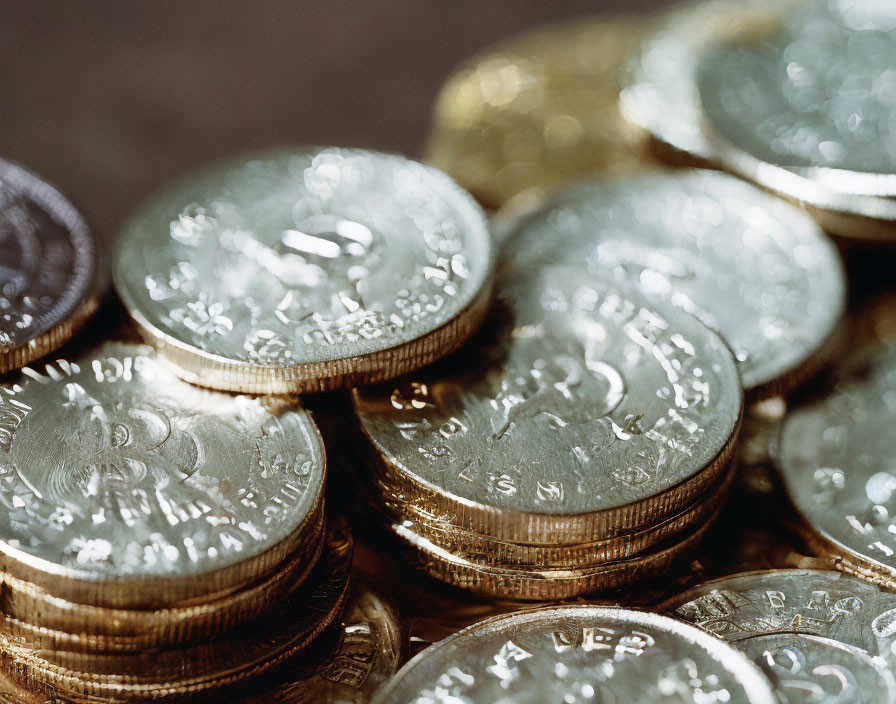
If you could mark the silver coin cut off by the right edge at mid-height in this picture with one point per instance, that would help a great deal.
(834, 458)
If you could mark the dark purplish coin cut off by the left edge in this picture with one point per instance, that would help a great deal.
(49, 268)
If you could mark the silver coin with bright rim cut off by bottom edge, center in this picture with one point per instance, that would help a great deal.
(578, 654)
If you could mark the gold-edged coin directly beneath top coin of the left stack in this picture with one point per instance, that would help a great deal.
(36, 619)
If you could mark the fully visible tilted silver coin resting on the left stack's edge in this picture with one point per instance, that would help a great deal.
(305, 269)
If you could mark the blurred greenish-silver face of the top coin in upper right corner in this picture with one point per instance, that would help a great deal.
(816, 97)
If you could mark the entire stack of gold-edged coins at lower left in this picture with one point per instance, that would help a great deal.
(147, 522)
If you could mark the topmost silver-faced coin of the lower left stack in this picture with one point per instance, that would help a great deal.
(123, 487)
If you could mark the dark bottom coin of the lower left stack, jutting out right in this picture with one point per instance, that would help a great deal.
(230, 660)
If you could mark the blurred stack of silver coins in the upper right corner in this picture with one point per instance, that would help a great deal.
(749, 87)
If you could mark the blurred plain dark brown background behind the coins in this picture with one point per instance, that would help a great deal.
(110, 98)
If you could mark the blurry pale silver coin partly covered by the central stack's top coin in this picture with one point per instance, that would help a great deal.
(756, 269)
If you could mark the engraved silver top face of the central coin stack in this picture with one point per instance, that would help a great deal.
(579, 396)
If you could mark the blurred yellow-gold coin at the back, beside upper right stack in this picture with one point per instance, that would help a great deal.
(536, 110)
